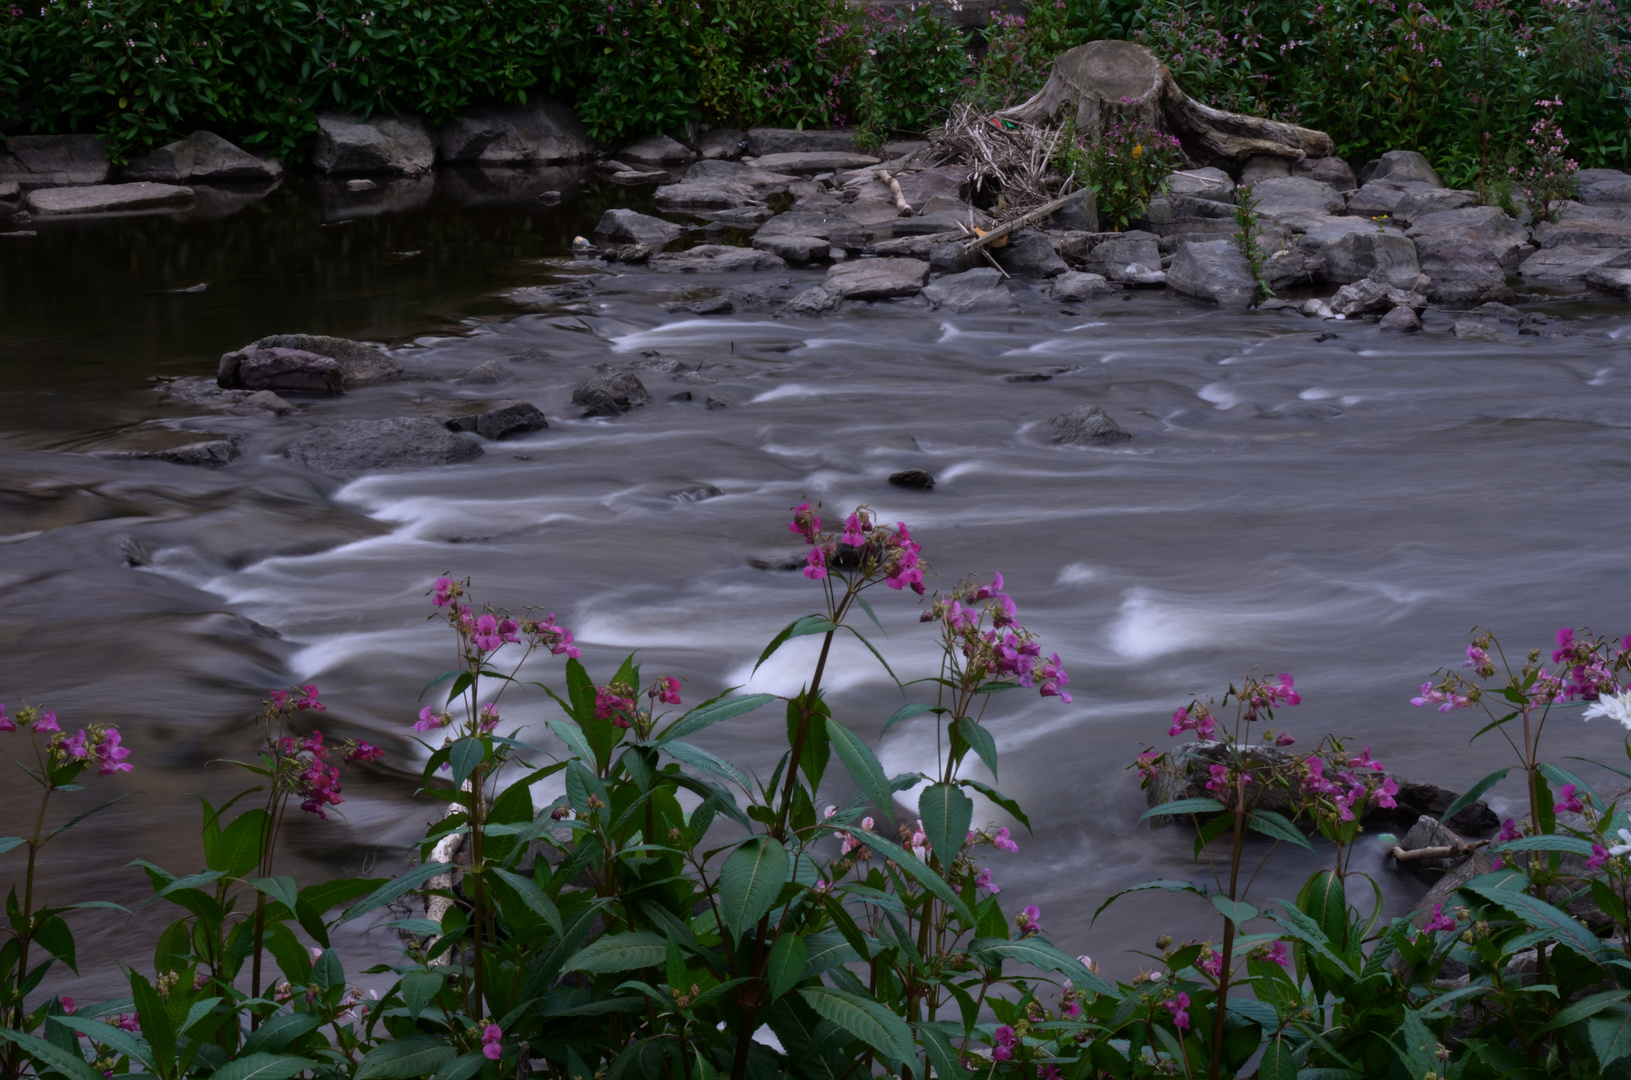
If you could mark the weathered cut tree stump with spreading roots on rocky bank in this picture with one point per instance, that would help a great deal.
(1107, 79)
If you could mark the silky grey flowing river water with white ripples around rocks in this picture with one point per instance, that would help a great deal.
(1343, 510)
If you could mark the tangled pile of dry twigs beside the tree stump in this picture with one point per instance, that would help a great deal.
(1012, 162)
